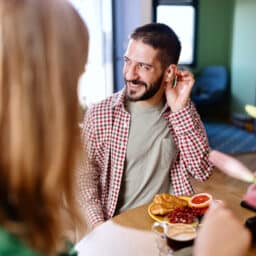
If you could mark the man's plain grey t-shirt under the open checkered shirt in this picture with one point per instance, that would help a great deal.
(150, 152)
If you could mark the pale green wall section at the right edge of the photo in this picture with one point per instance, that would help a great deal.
(243, 68)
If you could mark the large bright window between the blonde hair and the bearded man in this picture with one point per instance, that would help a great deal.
(97, 82)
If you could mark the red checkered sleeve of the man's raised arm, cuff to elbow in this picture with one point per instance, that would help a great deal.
(192, 142)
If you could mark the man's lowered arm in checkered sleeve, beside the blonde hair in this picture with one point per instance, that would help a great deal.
(88, 176)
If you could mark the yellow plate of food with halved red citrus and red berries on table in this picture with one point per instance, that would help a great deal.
(179, 209)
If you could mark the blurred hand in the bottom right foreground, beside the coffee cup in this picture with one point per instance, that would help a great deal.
(221, 234)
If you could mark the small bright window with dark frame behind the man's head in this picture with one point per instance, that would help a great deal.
(181, 16)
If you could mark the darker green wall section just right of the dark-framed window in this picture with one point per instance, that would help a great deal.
(214, 33)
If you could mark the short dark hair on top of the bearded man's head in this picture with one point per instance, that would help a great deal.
(162, 37)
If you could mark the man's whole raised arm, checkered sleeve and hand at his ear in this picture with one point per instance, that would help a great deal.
(188, 128)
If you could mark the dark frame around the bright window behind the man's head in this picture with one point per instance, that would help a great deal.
(193, 3)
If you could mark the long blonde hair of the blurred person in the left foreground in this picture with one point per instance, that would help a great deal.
(43, 50)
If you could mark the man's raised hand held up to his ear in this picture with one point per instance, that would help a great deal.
(178, 97)
